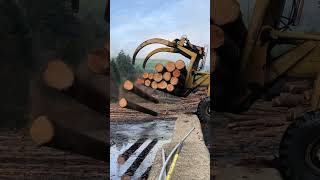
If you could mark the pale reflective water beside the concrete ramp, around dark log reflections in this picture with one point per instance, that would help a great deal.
(124, 135)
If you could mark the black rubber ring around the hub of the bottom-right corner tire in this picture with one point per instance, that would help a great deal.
(294, 146)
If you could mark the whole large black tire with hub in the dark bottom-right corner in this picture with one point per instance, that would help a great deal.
(300, 148)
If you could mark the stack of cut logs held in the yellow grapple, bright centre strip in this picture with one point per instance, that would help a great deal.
(169, 78)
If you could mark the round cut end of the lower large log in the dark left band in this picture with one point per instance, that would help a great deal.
(42, 130)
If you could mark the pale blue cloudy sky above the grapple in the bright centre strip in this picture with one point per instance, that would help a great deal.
(134, 21)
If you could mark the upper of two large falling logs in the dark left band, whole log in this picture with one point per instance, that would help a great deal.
(60, 76)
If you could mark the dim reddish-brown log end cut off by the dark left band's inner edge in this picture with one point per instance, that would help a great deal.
(97, 61)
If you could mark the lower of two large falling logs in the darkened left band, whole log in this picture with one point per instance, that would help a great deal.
(45, 132)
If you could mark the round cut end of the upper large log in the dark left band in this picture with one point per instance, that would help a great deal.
(58, 75)
